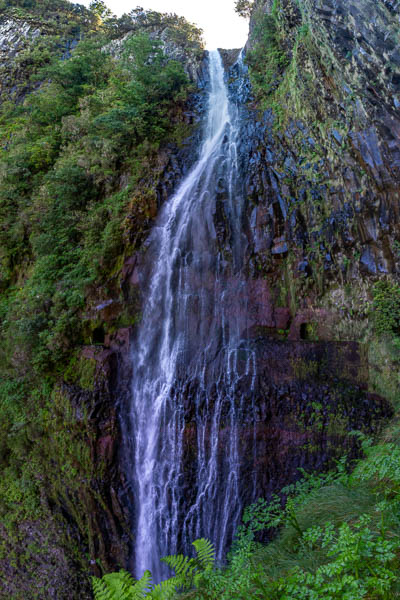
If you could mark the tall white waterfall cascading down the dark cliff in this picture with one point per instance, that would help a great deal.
(192, 374)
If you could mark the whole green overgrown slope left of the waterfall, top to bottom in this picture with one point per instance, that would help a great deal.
(79, 166)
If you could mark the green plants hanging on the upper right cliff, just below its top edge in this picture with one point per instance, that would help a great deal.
(286, 63)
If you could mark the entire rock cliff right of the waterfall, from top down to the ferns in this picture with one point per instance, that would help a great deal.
(320, 154)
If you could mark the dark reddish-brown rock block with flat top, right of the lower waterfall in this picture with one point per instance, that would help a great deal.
(309, 397)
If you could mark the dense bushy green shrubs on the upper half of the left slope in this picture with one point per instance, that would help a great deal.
(70, 142)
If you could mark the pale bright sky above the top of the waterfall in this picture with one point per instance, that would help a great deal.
(222, 27)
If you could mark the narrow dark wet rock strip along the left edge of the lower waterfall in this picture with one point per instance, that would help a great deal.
(109, 525)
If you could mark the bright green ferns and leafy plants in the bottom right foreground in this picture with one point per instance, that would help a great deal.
(339, 539)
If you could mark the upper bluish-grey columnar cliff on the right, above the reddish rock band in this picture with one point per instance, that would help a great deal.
(325, 155)
